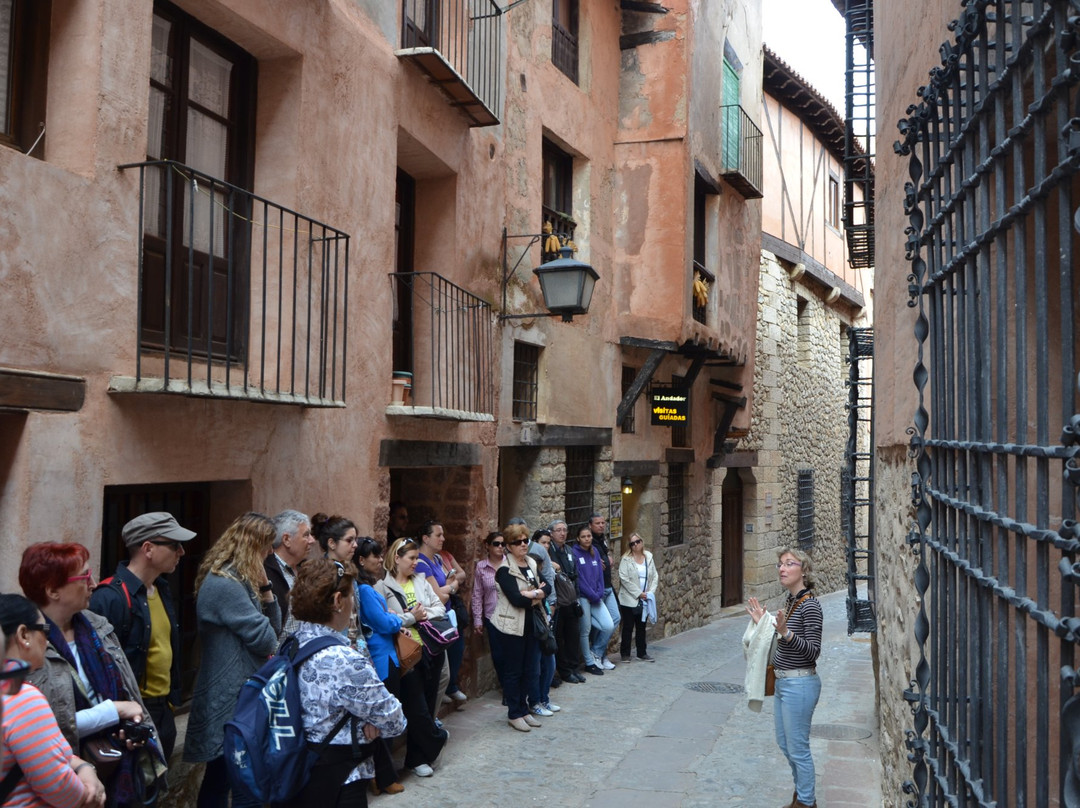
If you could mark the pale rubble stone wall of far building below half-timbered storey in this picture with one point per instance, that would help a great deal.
(800, 423)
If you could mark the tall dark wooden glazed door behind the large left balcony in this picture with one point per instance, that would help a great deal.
(202, 91)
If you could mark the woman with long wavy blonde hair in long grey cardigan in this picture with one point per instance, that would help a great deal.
(239, 622)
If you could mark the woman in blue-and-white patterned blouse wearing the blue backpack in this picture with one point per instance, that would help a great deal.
(339, 683)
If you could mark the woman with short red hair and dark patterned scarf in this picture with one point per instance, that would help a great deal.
(86, 677)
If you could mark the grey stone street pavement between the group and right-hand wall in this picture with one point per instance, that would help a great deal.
(666, 735)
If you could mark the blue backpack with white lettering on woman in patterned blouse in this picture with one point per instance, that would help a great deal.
(266, 751)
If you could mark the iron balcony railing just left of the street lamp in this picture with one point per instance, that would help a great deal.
(451, 336)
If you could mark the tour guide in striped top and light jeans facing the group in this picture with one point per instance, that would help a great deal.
(799, 644)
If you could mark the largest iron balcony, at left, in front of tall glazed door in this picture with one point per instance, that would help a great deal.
(238, 298)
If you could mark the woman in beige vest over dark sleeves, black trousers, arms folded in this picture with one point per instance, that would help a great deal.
(520, 590)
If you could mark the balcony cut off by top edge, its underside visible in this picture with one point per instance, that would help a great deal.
(458, 44)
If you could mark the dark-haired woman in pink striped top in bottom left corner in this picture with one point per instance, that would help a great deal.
(33, 742)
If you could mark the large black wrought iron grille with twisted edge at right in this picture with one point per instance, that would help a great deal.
(994, 152)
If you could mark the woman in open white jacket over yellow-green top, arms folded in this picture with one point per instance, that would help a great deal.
(411, 597)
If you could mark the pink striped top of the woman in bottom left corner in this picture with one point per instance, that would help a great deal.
(33, 738)
